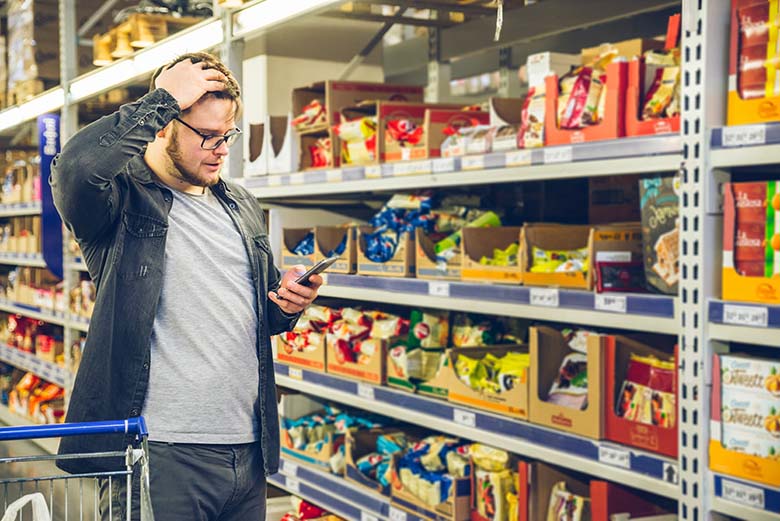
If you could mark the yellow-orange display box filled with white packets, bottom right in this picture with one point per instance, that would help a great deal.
(745, 411)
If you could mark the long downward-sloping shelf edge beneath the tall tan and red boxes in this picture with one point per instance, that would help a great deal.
(642, 469)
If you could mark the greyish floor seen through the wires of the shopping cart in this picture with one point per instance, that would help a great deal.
(65, 504)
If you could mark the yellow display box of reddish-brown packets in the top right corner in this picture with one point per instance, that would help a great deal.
(753, 87)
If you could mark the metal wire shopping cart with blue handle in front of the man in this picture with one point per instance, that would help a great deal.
(64, 489)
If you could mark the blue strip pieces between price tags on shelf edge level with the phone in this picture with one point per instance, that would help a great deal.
(636, 304)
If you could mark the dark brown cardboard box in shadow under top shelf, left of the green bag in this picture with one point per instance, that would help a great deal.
(613, 199)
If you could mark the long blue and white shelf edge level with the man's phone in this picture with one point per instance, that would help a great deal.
(638, 312)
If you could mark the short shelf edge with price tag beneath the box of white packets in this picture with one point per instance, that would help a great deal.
(745, 500)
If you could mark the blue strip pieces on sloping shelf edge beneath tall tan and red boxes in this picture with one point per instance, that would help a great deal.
(642, 463)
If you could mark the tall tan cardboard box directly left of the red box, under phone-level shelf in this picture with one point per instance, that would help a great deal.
(566, 384)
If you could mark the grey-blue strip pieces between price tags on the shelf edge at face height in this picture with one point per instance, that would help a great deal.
(623, 148)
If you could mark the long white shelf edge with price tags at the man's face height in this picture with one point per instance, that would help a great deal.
(622, 156)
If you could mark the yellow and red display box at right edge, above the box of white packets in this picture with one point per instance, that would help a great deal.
(737, 287)
